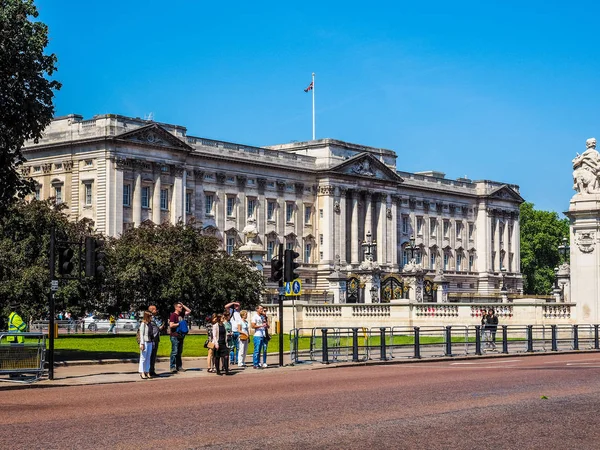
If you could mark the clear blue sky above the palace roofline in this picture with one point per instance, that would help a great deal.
(501, 90)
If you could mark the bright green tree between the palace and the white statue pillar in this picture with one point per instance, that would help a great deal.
(541, 234)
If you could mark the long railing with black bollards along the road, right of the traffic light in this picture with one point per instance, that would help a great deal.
(329, 345)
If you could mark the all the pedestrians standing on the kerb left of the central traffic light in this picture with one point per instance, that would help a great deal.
(228, 335)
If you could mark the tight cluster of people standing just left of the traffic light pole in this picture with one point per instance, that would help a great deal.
(228, 335)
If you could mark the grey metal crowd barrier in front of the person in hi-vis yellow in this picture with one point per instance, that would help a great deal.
(22, 361)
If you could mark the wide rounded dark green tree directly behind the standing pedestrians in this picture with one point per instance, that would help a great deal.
(164, 264)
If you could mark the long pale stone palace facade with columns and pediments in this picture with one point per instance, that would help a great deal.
(322, 198)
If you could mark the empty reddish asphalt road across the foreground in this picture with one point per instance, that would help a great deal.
(535, 402)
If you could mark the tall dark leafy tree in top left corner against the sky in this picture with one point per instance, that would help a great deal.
(26, 92)
